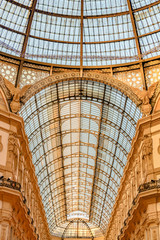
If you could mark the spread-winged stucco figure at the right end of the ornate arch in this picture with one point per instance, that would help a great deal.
(145, 97)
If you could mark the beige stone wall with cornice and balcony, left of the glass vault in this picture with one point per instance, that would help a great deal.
(22, 215)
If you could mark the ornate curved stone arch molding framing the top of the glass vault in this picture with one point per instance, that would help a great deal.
(106, 79)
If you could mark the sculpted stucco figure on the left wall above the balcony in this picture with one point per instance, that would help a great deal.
(13, 150)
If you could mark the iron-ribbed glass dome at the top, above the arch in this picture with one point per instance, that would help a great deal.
(80, 32)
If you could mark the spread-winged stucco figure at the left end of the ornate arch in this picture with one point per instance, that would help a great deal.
(17, 94)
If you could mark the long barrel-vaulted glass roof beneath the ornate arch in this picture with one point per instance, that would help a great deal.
(79, 133)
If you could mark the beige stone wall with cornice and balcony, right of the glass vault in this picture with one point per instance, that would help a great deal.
(136, 213)
